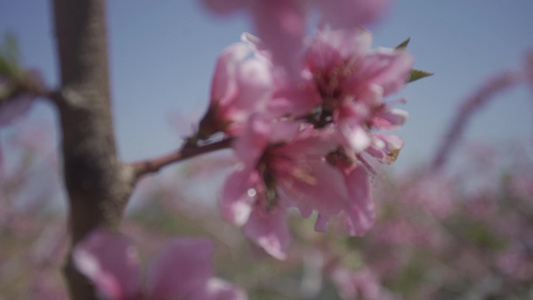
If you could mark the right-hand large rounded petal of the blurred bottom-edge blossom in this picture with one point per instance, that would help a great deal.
(181, 269)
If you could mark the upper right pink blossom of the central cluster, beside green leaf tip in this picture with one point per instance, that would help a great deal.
(352, 81)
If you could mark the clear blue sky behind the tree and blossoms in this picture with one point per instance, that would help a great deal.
(162, 55)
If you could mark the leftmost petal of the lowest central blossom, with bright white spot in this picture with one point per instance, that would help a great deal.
(238, 196)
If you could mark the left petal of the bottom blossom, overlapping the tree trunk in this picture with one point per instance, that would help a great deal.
(111, 263)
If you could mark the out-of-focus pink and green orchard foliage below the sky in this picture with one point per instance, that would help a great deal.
(467, 236)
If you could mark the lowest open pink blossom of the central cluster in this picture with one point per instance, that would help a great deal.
(279, 171)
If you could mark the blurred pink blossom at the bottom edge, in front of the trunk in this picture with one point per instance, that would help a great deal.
(183, 270)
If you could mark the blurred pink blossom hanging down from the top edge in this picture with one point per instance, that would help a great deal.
(282, 24)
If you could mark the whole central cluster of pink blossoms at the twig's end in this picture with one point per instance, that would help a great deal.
(305, 143)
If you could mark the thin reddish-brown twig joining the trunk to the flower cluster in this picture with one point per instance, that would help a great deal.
(153, 165)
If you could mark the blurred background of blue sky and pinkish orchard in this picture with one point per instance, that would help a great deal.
(462, 234)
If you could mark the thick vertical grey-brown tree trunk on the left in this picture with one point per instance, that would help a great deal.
(98, 184)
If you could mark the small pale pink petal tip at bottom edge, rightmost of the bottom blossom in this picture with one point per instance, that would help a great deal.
(217, 289)
